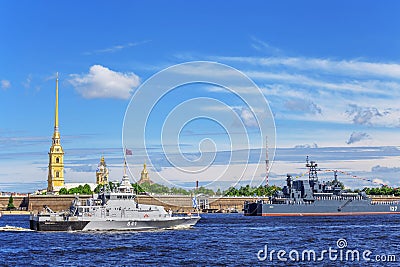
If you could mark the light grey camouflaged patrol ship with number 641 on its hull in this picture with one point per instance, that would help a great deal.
(113, 210)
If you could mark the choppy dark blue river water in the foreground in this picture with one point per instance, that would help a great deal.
(217, 240)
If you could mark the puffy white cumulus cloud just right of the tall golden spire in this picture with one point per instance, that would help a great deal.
(102, 82)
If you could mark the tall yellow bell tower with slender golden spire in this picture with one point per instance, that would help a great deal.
(55, 178)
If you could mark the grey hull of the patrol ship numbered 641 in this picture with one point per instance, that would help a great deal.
(60, 224)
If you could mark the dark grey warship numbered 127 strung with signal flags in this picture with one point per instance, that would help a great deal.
(315, 198)
